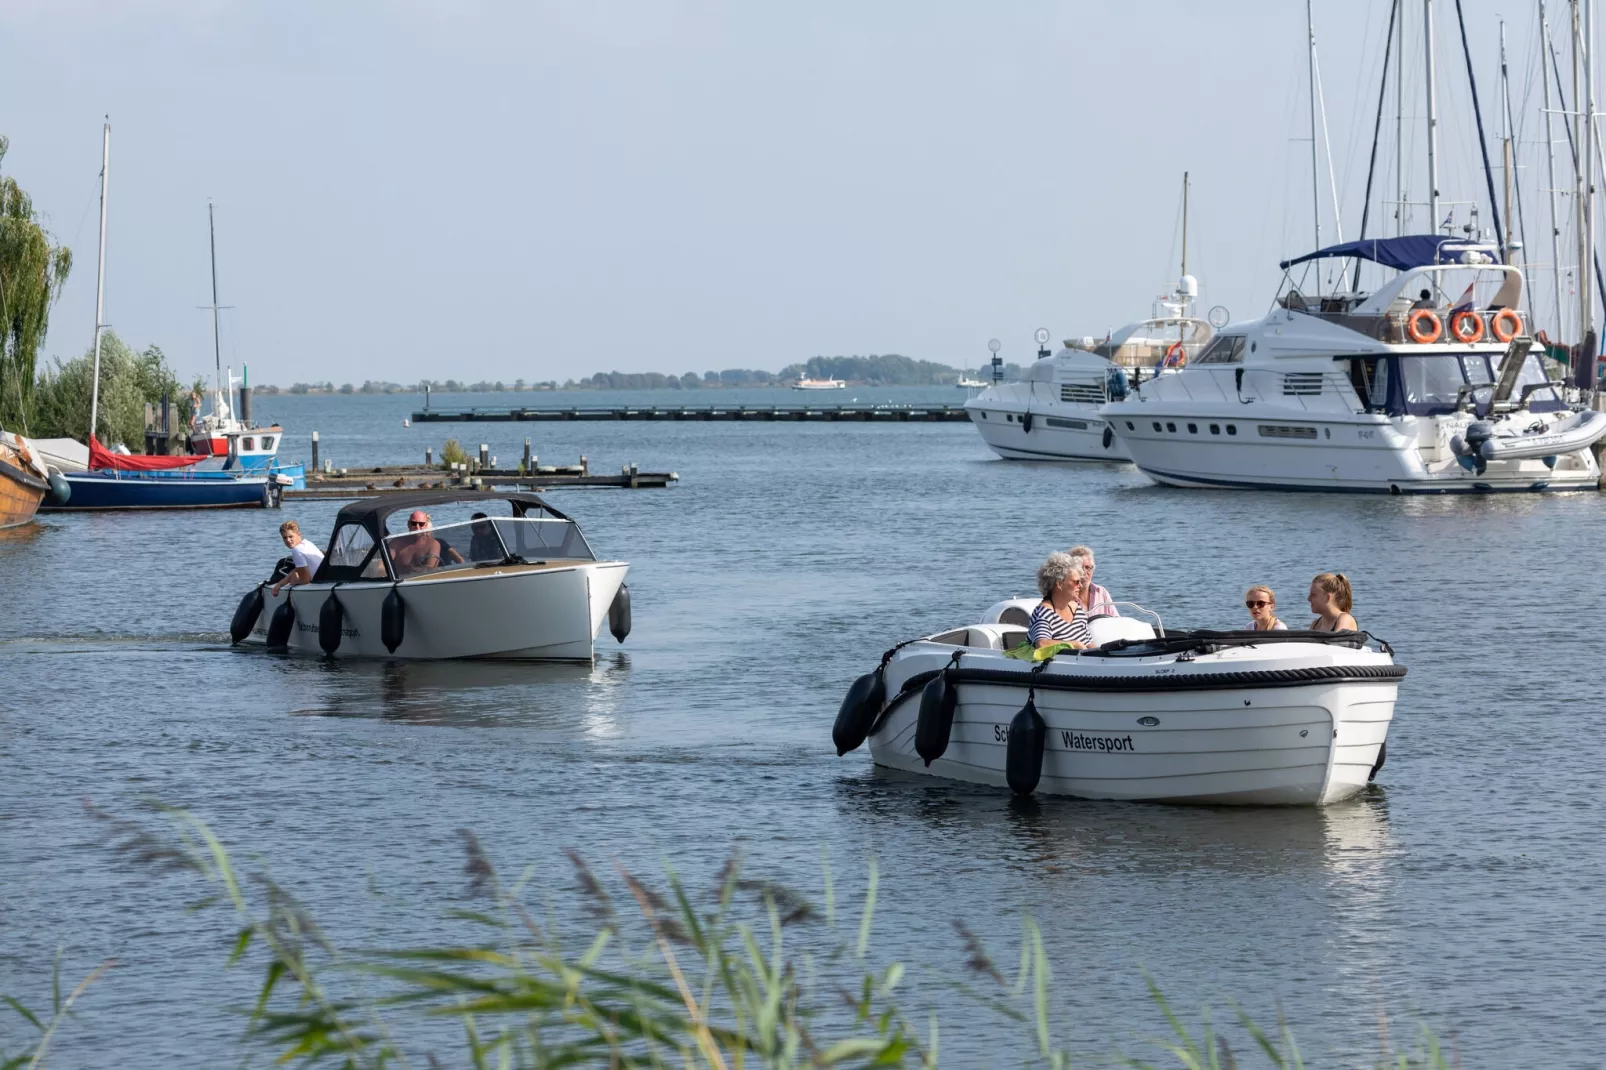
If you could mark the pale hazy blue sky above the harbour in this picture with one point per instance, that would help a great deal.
(545, 190)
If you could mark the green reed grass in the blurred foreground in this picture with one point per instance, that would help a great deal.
(741, 974)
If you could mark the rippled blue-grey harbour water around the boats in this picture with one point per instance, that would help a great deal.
(1464, 892)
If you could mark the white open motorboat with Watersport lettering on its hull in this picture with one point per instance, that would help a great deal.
(1199, 717)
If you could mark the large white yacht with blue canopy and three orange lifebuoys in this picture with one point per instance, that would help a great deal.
(1424, 386)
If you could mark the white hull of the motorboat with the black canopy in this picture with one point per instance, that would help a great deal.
(513, 613)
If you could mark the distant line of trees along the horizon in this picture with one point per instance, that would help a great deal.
(874, 370)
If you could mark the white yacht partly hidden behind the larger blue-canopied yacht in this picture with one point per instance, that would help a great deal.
(1053, 412)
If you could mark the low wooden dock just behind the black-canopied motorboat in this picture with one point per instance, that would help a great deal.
(394, 480)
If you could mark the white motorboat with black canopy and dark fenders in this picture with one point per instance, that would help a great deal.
(518, 586)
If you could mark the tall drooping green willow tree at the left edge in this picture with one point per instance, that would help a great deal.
(33, 272)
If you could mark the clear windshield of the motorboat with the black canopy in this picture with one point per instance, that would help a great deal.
(487, 542)
